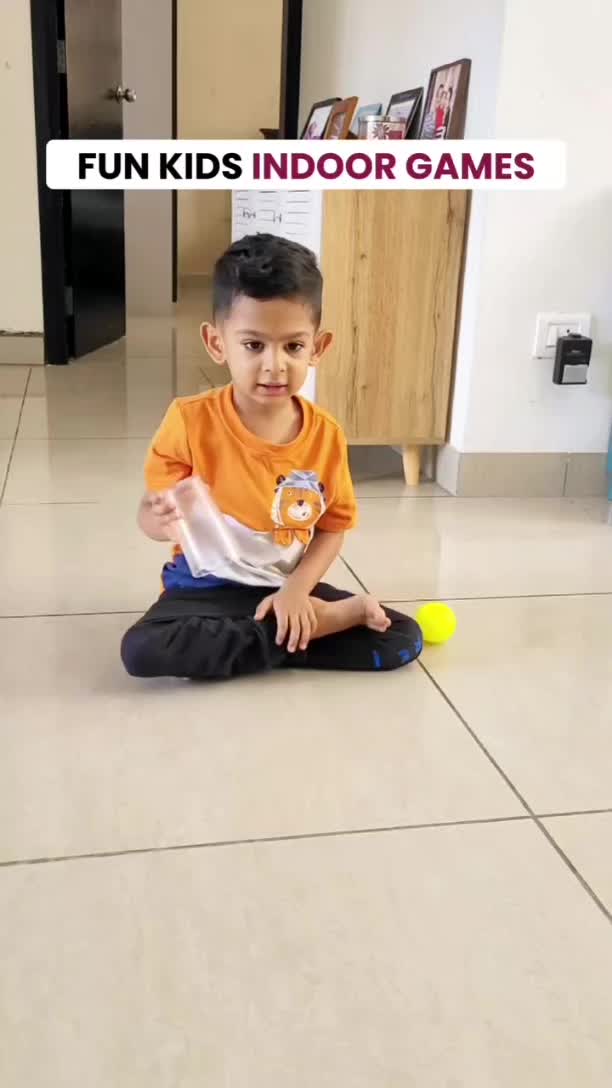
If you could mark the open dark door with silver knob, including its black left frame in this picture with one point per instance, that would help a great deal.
(79, 94)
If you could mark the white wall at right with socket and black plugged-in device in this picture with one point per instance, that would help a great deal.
(547, 252)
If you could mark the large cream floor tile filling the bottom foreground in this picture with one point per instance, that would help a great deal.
(450, 957)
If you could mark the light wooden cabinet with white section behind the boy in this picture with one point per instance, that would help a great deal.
(393, 265)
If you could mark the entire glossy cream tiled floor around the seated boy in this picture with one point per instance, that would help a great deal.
(342, 882)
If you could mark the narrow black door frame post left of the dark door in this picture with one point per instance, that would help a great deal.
(51, 121)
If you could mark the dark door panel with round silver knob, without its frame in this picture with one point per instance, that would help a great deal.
(96, 245)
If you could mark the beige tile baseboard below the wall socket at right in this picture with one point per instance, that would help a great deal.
(522, 476)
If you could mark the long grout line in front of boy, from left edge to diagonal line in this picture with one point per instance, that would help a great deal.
(225, 844)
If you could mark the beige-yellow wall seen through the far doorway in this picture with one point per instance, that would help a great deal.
(229, 86)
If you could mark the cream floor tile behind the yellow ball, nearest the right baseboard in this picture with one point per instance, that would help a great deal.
(473, 548)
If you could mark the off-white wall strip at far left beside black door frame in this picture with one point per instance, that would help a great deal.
(21, 287)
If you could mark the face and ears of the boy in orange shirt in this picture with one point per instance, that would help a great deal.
(268, 348)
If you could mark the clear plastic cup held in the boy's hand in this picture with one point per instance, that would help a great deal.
(204, 535)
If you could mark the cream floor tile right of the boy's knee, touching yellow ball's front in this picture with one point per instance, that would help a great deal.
(533, 678)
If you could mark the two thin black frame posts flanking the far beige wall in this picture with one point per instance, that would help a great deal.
(289, 113)
